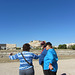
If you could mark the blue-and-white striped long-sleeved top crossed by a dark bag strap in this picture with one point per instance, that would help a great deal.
(28, 56)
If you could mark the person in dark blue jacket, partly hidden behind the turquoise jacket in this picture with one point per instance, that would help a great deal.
(43, 53)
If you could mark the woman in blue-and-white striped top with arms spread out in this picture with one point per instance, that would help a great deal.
(25, 68)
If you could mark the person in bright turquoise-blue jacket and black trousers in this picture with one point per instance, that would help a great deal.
(50, 60)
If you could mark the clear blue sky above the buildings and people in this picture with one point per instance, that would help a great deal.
(22, 21)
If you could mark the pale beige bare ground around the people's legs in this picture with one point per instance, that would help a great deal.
(64, 66)
